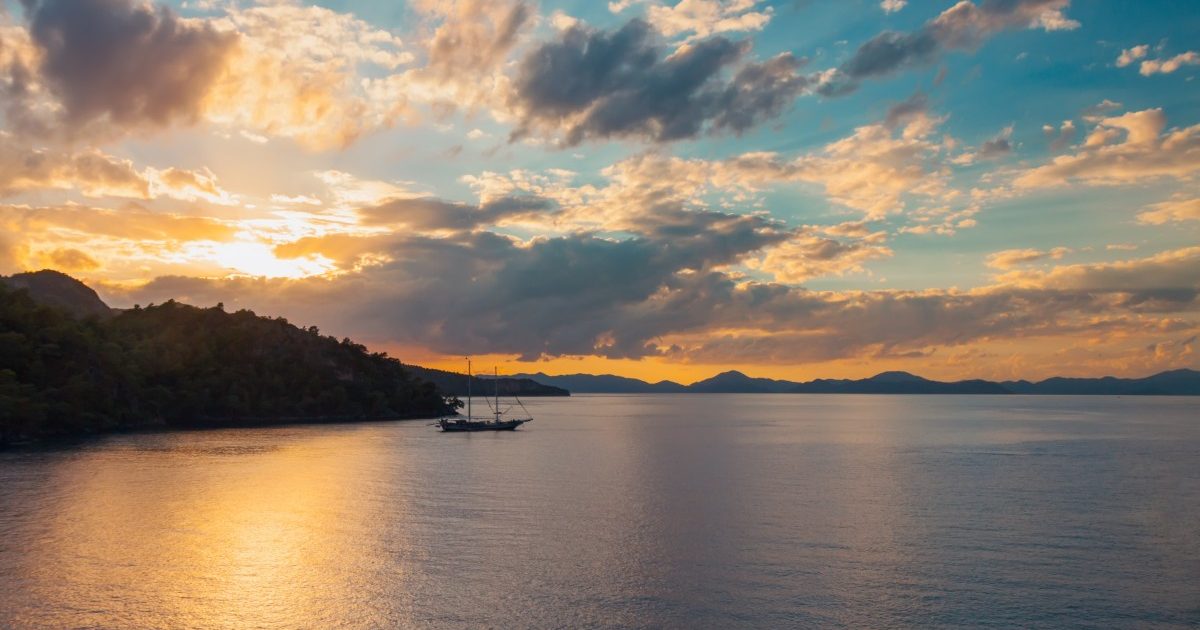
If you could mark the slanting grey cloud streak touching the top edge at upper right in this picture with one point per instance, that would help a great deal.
(963, 27)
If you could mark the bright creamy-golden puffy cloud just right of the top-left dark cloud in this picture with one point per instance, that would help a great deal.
(310, 74)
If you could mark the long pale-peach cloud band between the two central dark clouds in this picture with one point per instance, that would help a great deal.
(878, 171)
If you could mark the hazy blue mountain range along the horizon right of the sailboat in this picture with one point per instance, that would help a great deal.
(1173, 383)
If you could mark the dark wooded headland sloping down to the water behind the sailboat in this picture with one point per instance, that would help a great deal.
(73, 367)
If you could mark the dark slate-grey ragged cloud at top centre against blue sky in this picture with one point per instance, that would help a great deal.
(603, 85)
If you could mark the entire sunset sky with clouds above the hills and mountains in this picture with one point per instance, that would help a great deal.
(985, 189)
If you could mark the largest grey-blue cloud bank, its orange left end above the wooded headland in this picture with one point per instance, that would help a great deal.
(483, 292)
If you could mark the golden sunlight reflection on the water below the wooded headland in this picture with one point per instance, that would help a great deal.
(260, 532)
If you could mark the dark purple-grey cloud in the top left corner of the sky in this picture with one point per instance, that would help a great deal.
(124, 62)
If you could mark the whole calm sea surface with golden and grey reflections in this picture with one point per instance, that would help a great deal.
(683, 512)
